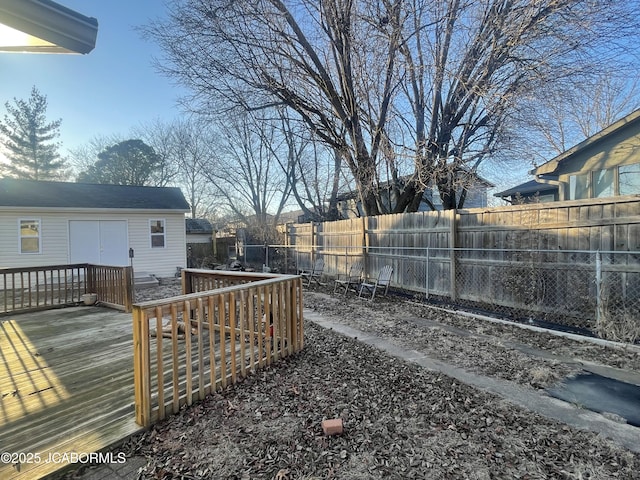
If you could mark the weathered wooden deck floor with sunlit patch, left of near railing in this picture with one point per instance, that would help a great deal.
(66, 384)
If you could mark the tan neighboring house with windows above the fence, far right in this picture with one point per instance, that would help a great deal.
(606, 164)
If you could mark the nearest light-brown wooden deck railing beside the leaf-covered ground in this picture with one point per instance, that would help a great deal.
(226, 325)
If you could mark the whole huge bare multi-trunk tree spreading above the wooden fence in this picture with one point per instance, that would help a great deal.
(410, 93)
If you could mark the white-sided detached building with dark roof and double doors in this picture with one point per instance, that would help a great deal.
(55, 223)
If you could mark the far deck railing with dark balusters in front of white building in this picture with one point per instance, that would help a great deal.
(41, 288)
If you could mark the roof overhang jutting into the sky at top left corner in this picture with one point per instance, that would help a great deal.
(43, 26)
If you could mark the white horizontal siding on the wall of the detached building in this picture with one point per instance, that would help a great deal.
(54, 248)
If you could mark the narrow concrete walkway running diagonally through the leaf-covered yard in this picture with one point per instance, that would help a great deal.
(568, 413)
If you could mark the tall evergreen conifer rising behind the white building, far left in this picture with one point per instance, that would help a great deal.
(28, 140)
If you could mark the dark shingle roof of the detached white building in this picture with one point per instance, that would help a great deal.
(31, 193)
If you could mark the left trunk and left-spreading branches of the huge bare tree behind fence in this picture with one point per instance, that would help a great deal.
(260, 54)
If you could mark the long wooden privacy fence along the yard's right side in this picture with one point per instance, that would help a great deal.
(537, 257)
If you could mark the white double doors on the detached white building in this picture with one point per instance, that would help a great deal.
(102, 242)
